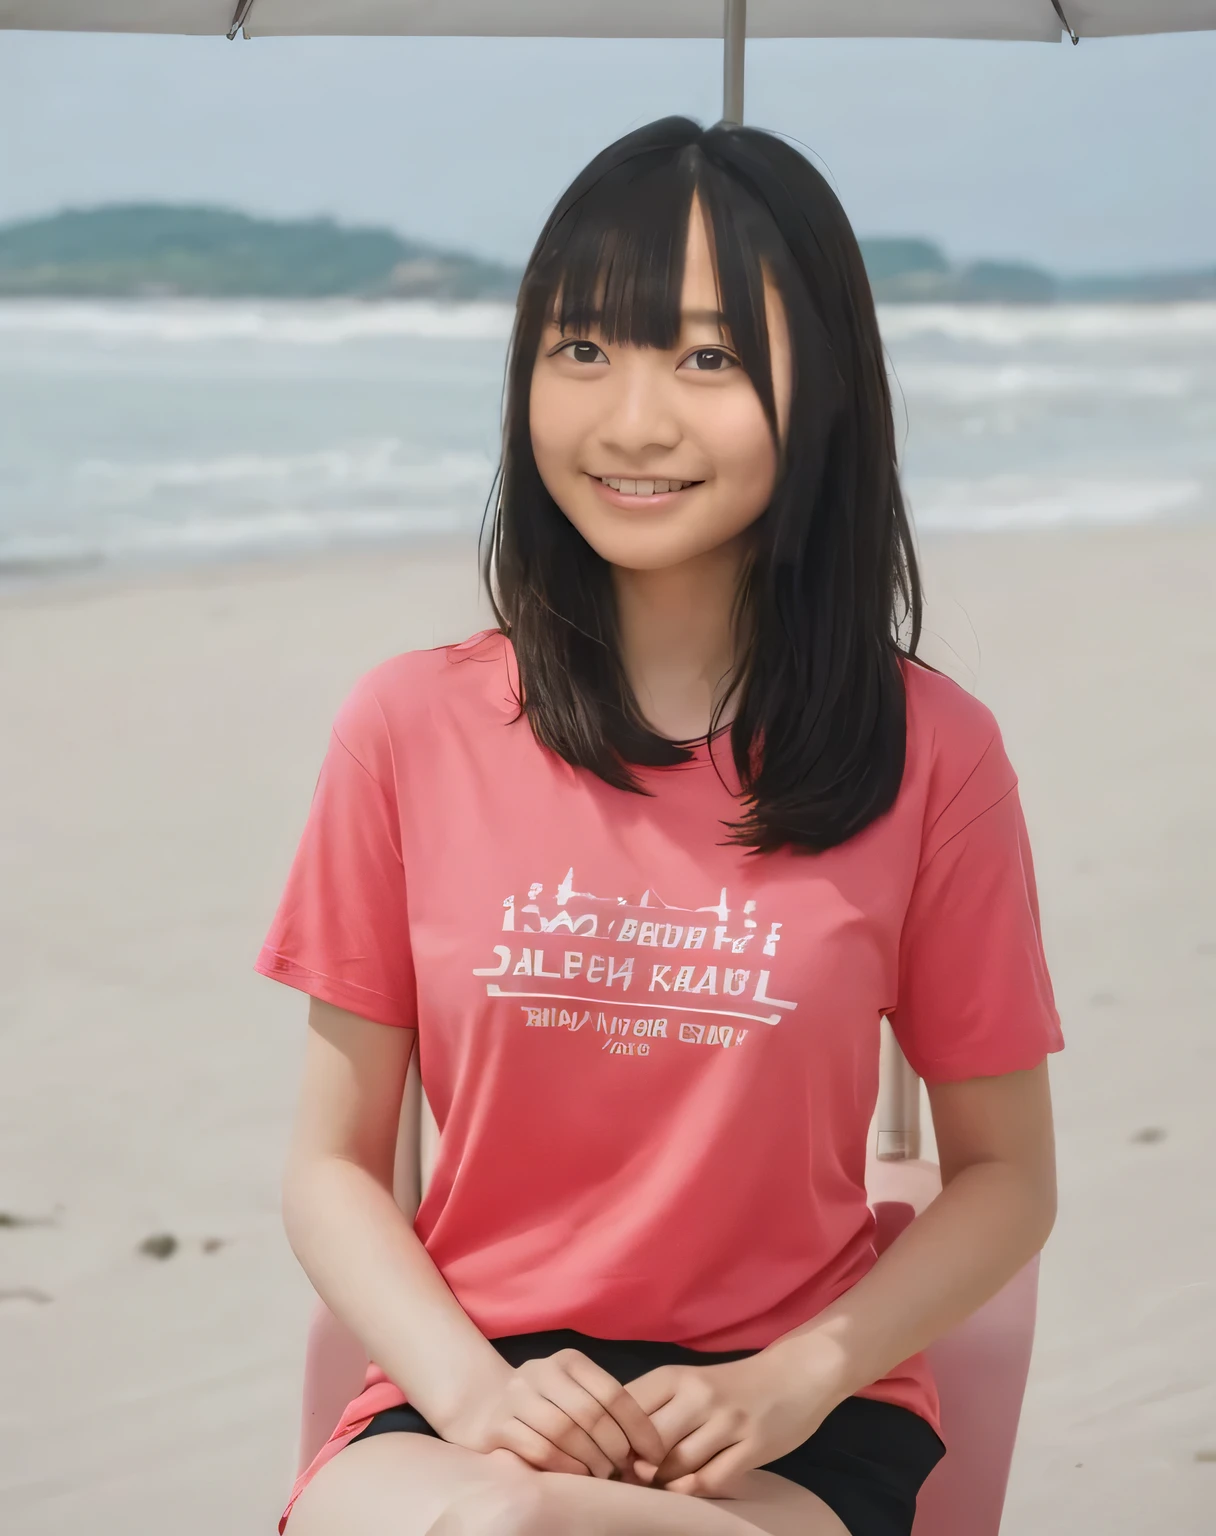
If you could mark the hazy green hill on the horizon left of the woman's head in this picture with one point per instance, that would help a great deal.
(210, 253)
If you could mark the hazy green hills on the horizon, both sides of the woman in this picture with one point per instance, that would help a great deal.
(159, 251)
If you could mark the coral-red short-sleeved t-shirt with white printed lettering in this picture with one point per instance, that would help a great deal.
(653, 1058)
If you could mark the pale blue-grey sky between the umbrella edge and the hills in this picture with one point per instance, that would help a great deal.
(1091, 159)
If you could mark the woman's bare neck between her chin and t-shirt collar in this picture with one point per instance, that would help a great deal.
(678, 646)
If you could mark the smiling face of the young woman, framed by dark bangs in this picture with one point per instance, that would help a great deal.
(659, 457)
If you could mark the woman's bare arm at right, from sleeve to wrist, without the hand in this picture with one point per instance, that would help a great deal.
(994, 1214)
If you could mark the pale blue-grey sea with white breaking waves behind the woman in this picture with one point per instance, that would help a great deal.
(167, 434)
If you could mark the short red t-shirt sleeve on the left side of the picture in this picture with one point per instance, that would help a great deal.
(342, 929)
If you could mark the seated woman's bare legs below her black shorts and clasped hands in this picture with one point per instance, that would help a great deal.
(417, 1486)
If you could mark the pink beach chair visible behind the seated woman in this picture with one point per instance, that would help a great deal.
(980, 1366)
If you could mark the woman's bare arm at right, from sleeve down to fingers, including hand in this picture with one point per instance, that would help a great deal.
(994, 1213)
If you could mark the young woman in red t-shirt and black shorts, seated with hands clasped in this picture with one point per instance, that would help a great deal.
(639, 873)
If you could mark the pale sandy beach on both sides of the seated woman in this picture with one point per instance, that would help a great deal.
(160, 746)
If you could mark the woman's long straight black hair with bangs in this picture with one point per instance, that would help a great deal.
(819, 733)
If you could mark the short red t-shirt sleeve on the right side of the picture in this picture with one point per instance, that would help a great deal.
(974, 993)
